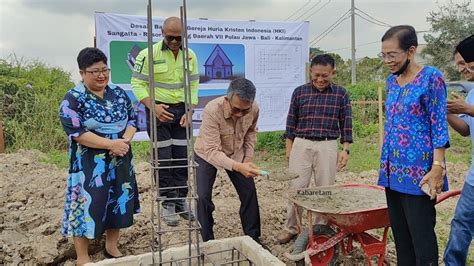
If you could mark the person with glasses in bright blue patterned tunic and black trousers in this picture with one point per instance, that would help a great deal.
(416, 136)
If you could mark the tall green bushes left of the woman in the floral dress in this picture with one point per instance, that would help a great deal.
(31, 94)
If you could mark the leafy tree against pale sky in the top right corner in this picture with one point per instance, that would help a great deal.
(449, 25)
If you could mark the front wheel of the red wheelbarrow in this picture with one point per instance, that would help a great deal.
(322, 233)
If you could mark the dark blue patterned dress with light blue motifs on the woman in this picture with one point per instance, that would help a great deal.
(101, 188)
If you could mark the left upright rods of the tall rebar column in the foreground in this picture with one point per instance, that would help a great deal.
(153, 137)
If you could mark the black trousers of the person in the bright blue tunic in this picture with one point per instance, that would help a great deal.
(413, 220)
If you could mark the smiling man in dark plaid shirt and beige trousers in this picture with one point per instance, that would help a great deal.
(320, 113)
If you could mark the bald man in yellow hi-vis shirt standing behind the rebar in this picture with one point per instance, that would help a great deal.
(170, 113)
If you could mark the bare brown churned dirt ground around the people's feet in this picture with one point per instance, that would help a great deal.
(32, 200)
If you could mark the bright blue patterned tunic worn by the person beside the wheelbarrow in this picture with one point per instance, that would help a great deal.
(415, 125)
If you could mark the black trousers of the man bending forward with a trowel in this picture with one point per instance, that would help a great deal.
(249, 211)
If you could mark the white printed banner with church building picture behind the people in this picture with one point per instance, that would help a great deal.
(273, 55)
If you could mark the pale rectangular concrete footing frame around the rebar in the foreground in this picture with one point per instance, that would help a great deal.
(217, 252)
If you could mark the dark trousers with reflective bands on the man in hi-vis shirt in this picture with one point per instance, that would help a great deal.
(171, 145)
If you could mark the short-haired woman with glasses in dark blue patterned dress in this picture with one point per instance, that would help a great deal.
(102, 193)
